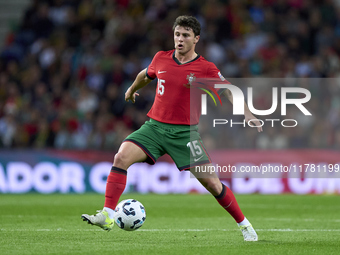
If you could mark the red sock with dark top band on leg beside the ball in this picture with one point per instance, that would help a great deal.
(115, 186)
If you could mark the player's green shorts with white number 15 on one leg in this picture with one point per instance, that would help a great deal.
(182, 142)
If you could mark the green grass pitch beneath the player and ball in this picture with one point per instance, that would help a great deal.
(175, 224)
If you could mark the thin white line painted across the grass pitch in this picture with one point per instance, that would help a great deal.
(175, 230)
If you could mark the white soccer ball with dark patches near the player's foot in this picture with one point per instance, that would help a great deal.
(129, 214)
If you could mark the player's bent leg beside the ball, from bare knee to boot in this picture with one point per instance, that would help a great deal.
(127, 154)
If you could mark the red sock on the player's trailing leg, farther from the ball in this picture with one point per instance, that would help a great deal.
(228, 201)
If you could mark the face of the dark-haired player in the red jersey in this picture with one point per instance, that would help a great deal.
(185, 40)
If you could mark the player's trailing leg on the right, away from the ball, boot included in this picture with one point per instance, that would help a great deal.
(226, 199)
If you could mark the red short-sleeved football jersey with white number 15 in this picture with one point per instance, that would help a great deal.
(172, 102)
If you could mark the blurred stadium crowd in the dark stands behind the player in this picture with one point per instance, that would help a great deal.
(65, 69)
